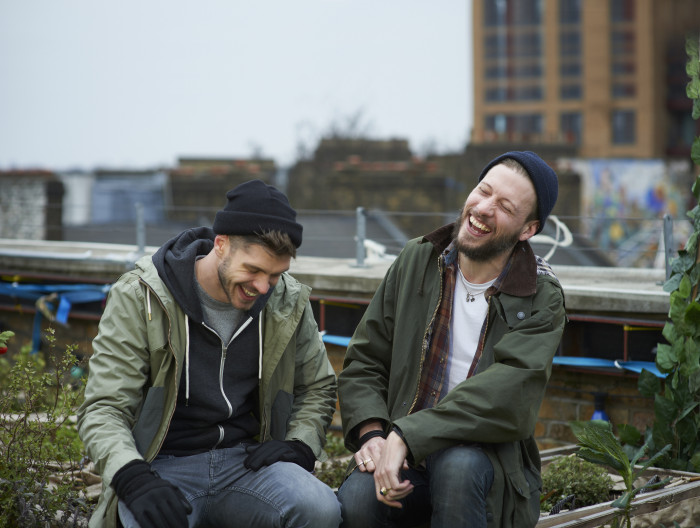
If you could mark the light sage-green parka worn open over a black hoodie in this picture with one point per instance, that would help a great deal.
(137, 362)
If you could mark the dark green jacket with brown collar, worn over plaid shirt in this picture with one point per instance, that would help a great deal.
(497, 407)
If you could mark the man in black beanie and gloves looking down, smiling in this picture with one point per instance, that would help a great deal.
(210, 392)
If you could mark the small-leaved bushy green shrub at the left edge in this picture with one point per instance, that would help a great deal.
(40, 451)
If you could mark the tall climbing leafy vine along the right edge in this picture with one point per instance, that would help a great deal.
(677, 402)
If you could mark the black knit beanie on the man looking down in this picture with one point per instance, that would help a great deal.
(254, 207)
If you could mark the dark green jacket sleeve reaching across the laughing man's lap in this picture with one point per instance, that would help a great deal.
(500, 403)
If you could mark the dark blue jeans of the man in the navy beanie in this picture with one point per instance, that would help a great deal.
(450, 491)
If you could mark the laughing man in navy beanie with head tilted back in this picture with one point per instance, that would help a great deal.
(444, 376)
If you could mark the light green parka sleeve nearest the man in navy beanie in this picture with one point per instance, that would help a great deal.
(314, 387)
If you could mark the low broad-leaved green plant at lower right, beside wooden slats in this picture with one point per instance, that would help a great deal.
(598, 444)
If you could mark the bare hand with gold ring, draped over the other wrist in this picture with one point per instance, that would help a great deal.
(386, 476)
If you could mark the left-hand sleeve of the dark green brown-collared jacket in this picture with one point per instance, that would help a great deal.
(363, 384)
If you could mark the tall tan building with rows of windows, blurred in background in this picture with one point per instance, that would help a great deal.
(605, 75)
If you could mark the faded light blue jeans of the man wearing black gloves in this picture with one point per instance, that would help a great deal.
(224, 493)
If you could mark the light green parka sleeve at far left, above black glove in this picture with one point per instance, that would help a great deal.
(118, 374)
